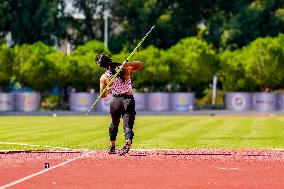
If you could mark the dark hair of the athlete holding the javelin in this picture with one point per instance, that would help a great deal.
(106, 62)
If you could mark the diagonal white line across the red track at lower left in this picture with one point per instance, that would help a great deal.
(42, 171)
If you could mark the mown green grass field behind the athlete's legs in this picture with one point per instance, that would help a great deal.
(151, 132)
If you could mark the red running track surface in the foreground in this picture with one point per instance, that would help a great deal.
(222, 169)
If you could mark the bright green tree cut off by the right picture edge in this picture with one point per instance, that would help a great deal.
(263, 62)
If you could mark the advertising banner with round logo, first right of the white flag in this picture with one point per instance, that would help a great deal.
(238, 101)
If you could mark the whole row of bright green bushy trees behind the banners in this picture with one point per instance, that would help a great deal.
(187, 66)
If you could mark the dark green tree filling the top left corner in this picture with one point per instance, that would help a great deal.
(31, 21)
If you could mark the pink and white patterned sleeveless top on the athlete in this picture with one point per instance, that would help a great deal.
(119, 87)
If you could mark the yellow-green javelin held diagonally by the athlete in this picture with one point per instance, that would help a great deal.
(127, 59)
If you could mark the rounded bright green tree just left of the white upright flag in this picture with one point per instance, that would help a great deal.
(193, 64)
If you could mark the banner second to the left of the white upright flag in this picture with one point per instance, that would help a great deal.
(158, 101)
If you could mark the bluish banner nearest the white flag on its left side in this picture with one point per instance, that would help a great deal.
(182, 101)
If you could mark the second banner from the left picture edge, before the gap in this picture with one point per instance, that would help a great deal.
(27, 101)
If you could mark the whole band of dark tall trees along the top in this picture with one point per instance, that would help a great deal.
(225, 24)
